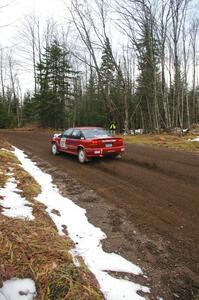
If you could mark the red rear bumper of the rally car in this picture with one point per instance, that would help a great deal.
(100, 152)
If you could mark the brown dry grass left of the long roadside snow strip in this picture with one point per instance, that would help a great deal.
(34, 249)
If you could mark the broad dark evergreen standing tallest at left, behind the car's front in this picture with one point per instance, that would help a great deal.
(55, 91)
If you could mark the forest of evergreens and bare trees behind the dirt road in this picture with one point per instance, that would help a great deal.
(134, 62)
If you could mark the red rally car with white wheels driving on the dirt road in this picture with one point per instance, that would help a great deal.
(87, 142)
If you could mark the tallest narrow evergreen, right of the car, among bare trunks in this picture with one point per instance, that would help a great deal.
(148, 82)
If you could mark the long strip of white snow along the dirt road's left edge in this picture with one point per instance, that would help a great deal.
(86, 237)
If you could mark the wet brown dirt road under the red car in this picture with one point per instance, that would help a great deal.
(147, 204)
